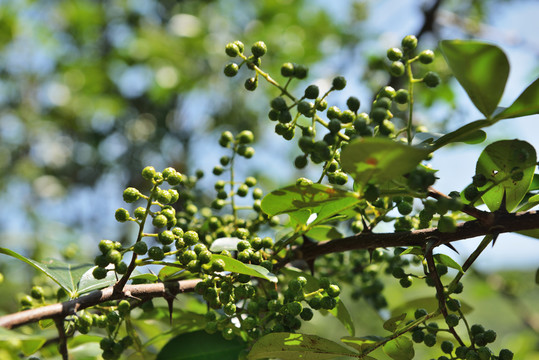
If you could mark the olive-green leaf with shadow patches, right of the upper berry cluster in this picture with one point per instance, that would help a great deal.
(379, 159)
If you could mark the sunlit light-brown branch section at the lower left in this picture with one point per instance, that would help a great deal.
(61, 310)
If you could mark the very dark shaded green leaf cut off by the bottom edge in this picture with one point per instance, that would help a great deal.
(201, 346)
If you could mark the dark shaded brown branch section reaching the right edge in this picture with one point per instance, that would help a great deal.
(508, 222)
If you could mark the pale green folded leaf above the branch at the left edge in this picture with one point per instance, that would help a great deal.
(65, 275)
